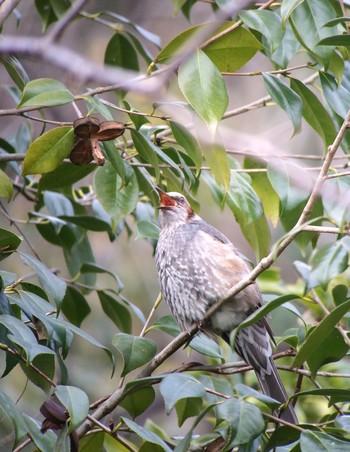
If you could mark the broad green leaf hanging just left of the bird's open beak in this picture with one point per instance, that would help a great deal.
(117, 200)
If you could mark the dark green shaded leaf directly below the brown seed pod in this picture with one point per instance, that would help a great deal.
(64, 175)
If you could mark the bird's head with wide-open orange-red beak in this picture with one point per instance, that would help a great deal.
(174, 209)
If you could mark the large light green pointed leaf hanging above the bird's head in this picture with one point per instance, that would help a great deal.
(204, 88)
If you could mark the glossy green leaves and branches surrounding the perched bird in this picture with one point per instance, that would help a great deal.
(157, 113)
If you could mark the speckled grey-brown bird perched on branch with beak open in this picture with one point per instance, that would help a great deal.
(197, 265)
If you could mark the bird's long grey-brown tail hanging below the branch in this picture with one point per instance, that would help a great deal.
(253, 345)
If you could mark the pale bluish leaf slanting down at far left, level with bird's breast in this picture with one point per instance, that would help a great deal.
(54, 286)
